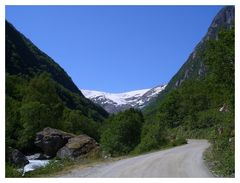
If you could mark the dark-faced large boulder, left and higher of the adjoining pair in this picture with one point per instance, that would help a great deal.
(51, 140)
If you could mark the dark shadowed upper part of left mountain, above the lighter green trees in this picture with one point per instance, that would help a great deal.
(25, 58)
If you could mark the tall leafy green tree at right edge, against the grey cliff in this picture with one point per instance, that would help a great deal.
(219, 59)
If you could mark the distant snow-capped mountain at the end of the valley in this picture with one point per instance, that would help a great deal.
(115, 102)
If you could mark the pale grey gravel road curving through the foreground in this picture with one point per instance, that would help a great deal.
(182, 161)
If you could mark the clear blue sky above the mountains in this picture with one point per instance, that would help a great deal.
(115, 48)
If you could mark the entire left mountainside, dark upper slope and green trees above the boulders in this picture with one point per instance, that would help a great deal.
(39, 93)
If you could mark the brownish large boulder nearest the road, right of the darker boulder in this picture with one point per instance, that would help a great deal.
(79, 146)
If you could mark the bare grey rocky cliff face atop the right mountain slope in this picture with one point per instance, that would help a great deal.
(194, 68)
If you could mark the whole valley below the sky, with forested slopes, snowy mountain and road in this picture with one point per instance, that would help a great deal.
(49, 116)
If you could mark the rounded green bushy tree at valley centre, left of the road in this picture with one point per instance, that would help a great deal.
(121, 132)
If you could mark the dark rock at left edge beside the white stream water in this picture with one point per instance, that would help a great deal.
(15, 157)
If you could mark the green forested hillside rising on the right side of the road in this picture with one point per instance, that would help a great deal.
(202, 105)
